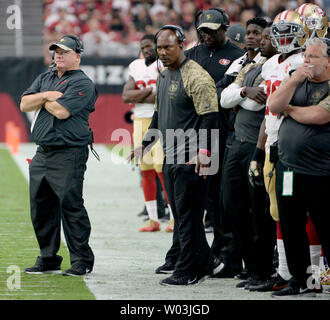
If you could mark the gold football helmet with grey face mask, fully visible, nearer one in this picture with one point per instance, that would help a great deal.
(288, 31)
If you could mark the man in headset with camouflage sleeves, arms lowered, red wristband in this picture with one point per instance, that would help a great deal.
(186, 101)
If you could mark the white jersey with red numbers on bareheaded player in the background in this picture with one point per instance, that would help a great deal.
(144, 77)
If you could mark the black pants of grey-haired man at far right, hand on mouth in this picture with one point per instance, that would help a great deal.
(310, 194)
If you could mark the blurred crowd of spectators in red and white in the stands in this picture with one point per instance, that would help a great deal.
(115, 27)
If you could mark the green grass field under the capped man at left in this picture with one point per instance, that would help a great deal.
(19, 248)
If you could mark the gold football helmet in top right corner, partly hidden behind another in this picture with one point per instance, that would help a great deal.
(315, 18)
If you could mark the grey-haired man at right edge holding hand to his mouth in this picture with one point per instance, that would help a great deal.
(303, 168)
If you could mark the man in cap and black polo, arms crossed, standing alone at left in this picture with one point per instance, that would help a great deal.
(62, 99)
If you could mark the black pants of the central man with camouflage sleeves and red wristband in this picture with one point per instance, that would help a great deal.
(187, 192)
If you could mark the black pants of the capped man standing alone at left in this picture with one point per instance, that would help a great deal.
(56, 186)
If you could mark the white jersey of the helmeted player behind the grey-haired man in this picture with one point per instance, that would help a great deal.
(274, 72)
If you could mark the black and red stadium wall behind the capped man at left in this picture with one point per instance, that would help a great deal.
(109, 75)
